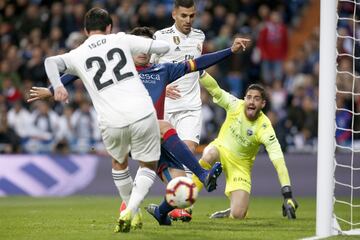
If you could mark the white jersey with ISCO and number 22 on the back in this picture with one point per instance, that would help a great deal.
(104, 63)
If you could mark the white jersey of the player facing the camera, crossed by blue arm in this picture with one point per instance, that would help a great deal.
(182, 47)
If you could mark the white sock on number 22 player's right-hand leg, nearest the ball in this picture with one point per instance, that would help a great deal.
(143, 181)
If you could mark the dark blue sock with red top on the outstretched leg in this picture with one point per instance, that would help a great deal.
(177, 148)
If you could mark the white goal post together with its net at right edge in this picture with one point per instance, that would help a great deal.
(328, 164)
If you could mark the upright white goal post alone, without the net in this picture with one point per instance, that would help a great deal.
(326, 126)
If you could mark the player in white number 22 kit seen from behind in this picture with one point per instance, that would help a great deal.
(127, 118)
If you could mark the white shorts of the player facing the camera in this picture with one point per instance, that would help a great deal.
(186, 123)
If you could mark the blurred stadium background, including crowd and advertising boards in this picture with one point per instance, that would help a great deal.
(31, 30)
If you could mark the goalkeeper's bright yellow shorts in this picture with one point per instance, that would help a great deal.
(237, 176)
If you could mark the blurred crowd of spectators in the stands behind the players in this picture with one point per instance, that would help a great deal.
(31, 30)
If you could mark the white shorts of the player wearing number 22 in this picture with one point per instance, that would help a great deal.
(141, 138)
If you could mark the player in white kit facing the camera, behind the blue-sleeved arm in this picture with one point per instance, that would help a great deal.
(184, 113)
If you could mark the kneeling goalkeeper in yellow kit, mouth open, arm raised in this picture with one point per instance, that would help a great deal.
(245, 128)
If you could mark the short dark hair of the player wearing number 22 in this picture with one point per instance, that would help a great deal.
(97, 19)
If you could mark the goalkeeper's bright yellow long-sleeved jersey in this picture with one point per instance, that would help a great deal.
(242, 137)
